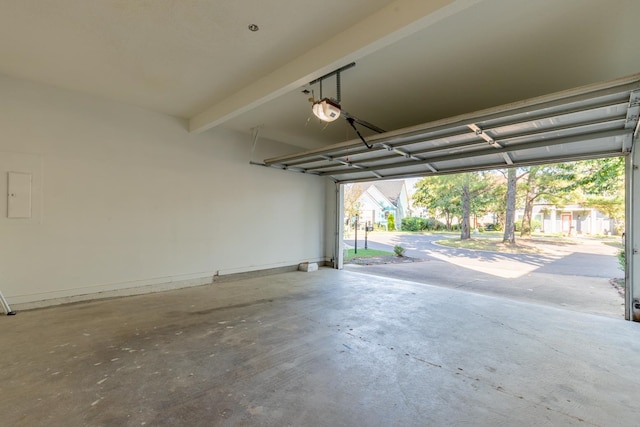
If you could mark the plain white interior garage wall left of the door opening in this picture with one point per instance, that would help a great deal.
(124, 197)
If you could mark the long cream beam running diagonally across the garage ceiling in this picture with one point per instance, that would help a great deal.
(389, 25)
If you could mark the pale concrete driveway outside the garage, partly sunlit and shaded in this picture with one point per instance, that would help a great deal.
(572, 274)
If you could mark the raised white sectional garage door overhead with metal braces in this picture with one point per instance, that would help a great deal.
(588, 122)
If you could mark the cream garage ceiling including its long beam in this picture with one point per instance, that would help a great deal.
(417, 61)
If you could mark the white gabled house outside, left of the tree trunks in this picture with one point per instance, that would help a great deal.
(380, 199)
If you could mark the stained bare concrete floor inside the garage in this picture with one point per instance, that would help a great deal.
(328, 348)
